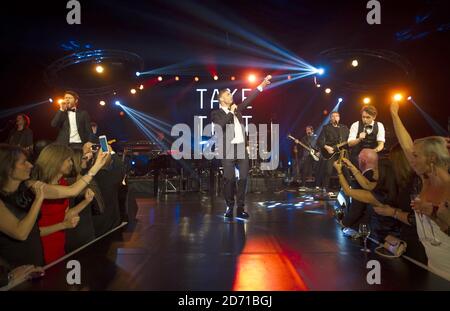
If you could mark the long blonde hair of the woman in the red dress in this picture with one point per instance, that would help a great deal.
(48, 164)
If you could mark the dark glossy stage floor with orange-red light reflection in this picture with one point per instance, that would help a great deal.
(182, 242)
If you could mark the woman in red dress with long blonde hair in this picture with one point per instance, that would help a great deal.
(55, 162)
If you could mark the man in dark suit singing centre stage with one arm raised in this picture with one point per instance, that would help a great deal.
(231, 114)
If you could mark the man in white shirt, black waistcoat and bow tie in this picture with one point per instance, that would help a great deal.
(366, 133)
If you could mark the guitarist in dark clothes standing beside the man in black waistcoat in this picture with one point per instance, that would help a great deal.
(332, 134)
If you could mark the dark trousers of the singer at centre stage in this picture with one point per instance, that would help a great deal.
(231, 188)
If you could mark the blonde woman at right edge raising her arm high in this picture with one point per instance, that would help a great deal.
(429, 158)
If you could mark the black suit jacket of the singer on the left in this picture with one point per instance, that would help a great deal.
(61, 121)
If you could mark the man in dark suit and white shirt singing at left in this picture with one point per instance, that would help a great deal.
(74, 124)
